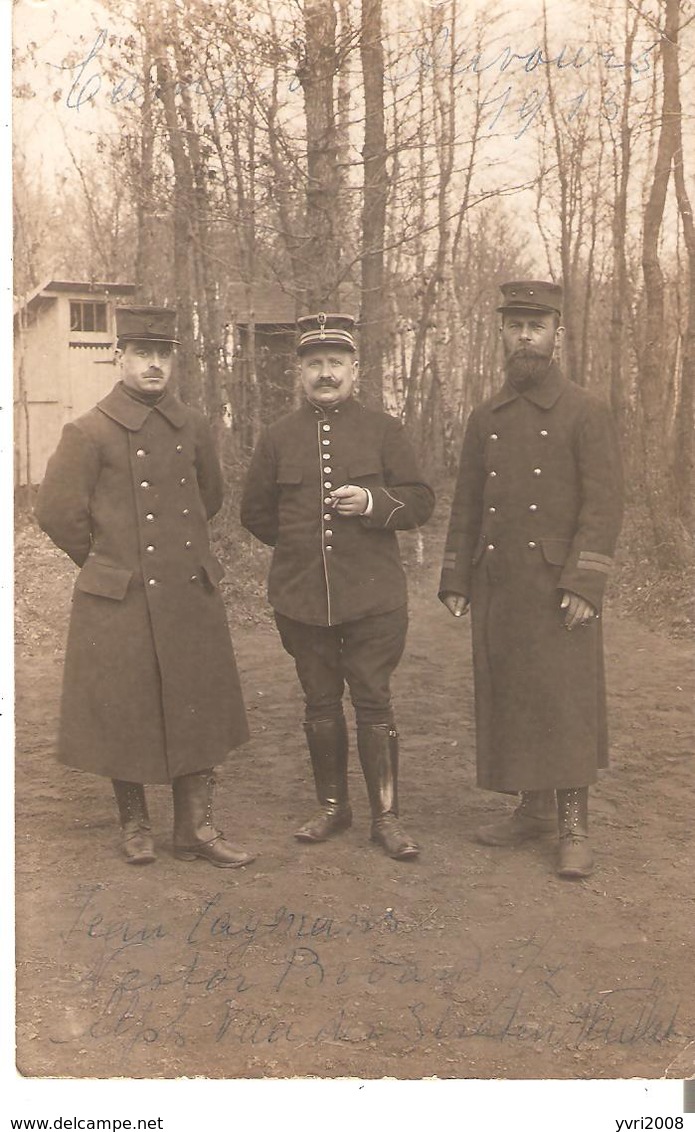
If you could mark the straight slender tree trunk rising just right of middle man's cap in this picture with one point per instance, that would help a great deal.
(373, 330)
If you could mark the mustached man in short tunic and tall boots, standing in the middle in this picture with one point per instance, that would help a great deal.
(329, 487)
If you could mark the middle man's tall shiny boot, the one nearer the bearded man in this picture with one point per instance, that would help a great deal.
(379, 749)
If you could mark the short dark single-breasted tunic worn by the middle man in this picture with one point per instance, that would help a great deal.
(327, 569)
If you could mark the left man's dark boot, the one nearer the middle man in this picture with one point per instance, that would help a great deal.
(195, 835)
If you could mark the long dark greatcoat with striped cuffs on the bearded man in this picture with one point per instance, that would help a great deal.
(537, 511)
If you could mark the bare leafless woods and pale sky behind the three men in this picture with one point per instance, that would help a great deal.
(398, 161)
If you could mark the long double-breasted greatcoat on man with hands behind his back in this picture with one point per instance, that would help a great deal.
(151, 690)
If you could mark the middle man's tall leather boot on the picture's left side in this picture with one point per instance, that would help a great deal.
(328, 742)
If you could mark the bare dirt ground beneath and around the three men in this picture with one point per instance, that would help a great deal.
(333, 961)
